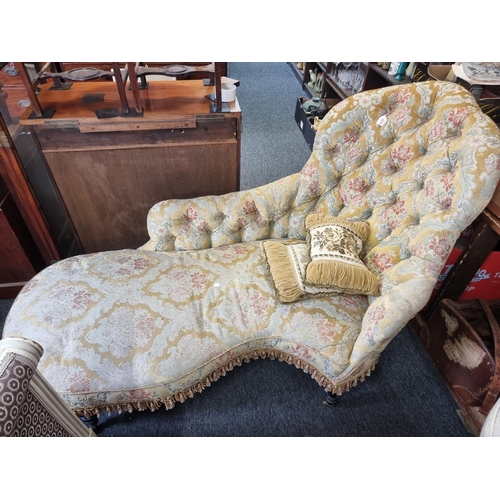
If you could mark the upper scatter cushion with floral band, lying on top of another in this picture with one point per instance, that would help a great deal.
(334, 247)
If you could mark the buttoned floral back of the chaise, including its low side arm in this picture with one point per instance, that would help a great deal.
(419, 162)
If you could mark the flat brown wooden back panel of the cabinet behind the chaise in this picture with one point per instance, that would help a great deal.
(108, 193)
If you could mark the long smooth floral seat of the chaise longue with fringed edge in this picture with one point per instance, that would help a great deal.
(134, 329)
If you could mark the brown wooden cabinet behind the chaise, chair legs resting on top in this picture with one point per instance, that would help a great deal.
(110, 171)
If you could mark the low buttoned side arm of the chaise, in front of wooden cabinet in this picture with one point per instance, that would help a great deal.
(275, 210)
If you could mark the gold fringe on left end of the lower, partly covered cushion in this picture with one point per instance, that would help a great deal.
(282, 271)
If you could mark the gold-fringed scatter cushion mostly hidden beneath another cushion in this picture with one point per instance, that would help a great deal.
(287, 266)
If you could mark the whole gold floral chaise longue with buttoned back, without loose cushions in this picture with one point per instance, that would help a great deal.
(137, 329)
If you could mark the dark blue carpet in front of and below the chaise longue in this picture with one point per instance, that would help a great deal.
(404, 397)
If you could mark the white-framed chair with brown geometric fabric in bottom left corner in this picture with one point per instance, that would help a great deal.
(29, 407)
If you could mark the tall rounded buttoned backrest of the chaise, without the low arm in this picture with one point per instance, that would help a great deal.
(419, 162)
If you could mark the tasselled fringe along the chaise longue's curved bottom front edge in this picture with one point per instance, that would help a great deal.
(182, 396)
